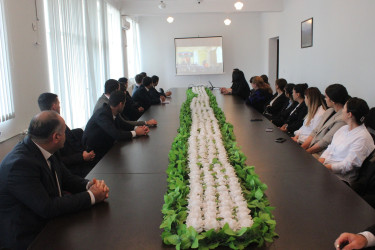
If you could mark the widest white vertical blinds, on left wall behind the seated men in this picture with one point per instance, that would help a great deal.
(79, 57)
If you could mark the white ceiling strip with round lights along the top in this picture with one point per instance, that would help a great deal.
(150, 7)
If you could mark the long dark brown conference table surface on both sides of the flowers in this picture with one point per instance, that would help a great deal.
(312, 206)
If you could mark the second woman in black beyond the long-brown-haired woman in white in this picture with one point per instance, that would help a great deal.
(280, 118)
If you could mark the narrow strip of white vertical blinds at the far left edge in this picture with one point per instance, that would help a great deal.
(6, 96)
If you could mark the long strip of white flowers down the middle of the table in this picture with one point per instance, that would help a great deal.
(215, 196)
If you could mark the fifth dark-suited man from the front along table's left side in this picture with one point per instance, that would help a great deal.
(132, 110)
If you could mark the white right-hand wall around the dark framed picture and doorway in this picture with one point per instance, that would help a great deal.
(343, 44)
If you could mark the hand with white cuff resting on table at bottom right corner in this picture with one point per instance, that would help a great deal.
(357, 241)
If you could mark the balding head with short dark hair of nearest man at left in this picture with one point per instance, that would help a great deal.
(43, 125)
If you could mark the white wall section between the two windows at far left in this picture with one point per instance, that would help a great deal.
(28, 63)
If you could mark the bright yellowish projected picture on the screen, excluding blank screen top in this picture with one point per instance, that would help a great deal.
(199, 60)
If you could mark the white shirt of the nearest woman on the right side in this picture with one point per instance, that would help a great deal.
(348, 150)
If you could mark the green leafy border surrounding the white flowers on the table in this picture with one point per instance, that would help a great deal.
(174, 209)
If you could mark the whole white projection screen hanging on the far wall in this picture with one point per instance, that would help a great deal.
(199, 55)
